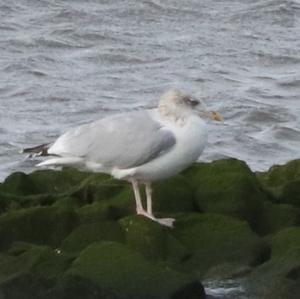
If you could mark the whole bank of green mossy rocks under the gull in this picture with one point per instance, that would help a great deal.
(70, 234)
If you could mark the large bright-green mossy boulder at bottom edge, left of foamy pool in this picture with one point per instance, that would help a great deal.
(113, 266)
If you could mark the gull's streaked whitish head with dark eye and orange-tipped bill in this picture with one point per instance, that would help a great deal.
(177, 105)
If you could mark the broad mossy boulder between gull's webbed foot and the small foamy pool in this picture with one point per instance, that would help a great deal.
(215, 239)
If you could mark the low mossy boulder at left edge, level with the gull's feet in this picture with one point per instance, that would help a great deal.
(40, 225)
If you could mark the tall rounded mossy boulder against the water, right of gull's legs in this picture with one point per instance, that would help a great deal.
(228, 187)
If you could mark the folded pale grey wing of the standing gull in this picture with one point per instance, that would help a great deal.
(123, 141)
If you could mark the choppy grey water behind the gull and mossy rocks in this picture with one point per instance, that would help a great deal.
(63, 63)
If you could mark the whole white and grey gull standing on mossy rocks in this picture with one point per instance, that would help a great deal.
(140, 146)
